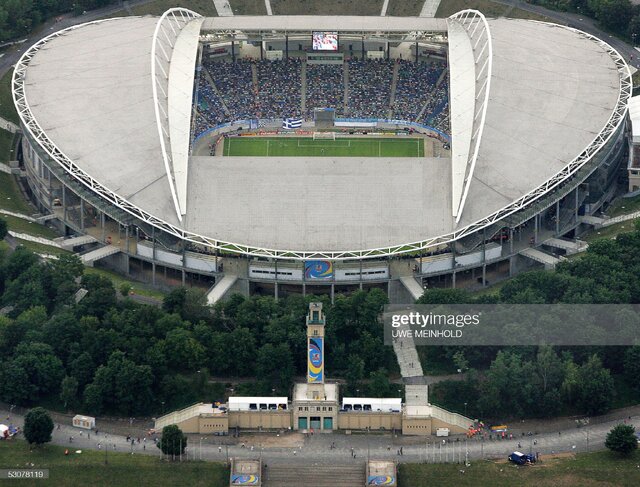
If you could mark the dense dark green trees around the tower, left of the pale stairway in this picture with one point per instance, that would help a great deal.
(105, 355)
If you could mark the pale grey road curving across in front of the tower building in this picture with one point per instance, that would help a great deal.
(295, 448)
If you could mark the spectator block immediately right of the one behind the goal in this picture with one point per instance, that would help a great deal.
(370, 88)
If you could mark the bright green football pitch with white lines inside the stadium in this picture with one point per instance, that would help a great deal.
(340, 147)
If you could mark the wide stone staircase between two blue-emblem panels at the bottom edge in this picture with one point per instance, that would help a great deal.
(315, 476)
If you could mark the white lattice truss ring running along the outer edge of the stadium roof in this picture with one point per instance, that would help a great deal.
(35, 131)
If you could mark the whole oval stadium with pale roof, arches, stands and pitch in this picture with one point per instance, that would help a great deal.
(288, 154)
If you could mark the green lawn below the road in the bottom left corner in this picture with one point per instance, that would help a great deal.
(88, 468)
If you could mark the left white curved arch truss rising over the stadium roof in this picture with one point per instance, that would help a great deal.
(170, 56)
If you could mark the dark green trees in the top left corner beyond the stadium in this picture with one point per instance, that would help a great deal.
(19, 17)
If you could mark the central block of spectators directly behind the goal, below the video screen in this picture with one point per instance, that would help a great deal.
(325, 88)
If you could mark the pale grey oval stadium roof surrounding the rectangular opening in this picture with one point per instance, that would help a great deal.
(86, 93)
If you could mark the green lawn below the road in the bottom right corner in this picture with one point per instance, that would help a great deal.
(586, 469)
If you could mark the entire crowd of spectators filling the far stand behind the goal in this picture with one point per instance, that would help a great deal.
(277, 94)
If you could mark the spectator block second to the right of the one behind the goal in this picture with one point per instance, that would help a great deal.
(415, 83)
